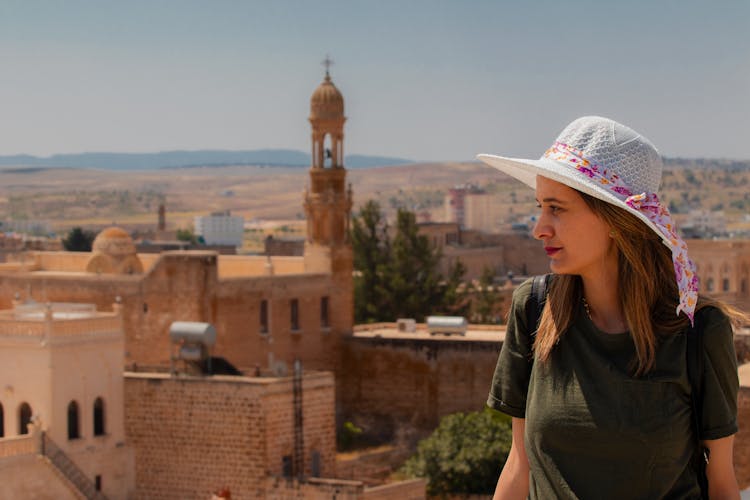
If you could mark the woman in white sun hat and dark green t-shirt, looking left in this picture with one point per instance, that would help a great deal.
(600, 397)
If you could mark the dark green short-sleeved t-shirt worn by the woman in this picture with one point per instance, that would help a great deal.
(593, 430)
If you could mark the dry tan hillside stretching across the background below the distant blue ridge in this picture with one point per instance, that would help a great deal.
(69, 197)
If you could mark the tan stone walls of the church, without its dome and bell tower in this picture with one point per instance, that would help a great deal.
(185, 286)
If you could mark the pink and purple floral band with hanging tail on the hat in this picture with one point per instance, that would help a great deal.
(647, 204)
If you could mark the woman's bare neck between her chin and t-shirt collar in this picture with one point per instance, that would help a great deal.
(602, 301)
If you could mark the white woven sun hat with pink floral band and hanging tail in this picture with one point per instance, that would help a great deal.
(616, 164)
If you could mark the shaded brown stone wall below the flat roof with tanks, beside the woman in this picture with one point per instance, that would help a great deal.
(414, 381)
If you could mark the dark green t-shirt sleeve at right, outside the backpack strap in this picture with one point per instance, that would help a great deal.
(720, 378)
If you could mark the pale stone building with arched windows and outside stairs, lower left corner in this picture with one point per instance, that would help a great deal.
(62, 418)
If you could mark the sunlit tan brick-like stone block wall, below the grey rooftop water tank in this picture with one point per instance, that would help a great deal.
(194, 435)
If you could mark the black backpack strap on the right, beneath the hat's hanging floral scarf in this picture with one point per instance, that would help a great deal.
(695, 376)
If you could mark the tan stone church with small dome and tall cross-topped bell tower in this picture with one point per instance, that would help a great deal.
(267, 310)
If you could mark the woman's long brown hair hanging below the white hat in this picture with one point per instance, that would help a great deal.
(648, 290)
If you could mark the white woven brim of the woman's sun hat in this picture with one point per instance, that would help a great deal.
(526, 170)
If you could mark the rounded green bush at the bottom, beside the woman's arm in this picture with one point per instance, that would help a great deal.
(464, 455)
